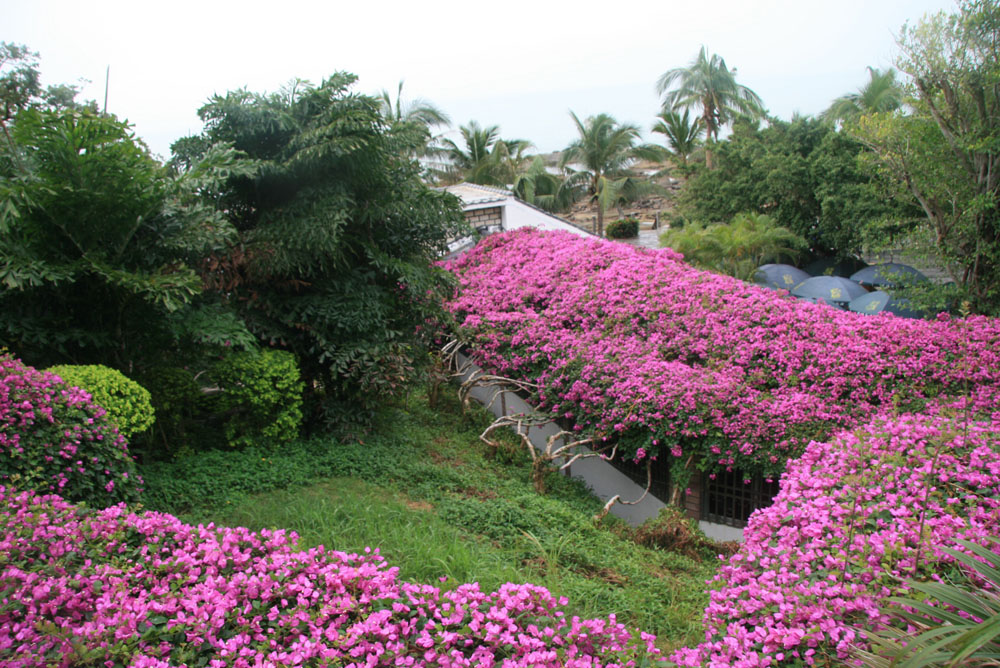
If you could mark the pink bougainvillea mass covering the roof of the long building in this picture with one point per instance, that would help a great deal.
(636, 345)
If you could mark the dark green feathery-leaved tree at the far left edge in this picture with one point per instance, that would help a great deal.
(98, 245)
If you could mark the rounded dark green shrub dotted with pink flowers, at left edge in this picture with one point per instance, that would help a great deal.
(55, 439)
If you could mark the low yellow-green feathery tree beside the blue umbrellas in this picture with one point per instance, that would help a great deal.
(737, 248)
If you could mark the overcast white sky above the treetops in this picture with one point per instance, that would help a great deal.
(519, 64)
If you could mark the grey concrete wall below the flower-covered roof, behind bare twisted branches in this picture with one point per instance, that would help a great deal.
(603, 478)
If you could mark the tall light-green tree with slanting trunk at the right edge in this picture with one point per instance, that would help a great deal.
(945, 153)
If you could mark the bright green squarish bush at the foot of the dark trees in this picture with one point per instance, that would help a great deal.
(261, 396)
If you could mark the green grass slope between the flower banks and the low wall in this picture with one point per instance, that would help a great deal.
(424, 491)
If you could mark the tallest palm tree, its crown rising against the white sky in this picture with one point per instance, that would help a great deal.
(710, 86)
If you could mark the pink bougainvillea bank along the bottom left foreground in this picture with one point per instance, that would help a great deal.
(145, 590)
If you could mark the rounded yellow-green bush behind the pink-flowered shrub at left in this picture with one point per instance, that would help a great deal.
(126, 402)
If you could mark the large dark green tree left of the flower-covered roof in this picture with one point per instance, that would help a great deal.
(337, 238)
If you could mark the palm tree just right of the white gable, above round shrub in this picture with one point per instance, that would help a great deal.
(606, 150)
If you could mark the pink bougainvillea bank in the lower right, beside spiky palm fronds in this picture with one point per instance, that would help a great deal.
(853, 516)
